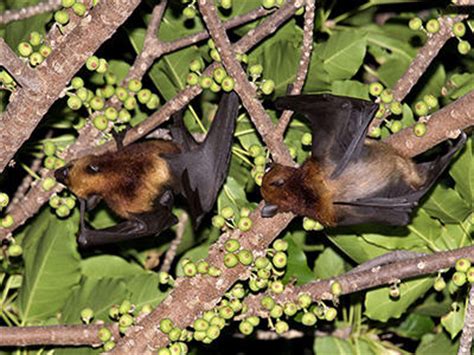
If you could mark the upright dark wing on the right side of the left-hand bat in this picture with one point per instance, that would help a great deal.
(202, 169)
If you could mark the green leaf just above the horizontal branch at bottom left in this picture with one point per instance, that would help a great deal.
(97, 294)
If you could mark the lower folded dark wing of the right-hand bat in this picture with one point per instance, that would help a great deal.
(394, 204)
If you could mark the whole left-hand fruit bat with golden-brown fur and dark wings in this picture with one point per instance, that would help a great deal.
(139, 182)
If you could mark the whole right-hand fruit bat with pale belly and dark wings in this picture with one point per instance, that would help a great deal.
(348, 179)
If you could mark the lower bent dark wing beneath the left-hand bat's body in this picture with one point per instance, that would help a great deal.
(142, 225)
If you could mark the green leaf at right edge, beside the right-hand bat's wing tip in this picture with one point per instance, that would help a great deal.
(462, 172)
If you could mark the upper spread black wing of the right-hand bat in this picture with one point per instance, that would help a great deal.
(339, 126)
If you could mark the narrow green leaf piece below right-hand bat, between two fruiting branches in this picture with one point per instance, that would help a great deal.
(297, 267)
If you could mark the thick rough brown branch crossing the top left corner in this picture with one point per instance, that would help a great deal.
(26, 108)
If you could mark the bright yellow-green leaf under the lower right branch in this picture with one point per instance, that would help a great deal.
(379, 306)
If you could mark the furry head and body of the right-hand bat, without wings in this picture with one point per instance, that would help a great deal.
(308, 190)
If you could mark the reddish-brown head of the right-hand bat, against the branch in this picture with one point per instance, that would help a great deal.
(277, 189)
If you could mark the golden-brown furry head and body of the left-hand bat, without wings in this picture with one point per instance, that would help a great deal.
(128, 180)
